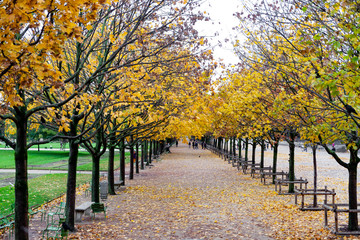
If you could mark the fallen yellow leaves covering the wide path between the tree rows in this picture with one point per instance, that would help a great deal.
(185, 197)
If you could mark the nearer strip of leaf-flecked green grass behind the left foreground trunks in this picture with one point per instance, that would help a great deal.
(41, 190)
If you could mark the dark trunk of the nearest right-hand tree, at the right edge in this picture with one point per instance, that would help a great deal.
(352, 188)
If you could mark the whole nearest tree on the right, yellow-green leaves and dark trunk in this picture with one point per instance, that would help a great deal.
(312, 45)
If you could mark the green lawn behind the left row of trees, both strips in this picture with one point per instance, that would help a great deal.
(47, 187)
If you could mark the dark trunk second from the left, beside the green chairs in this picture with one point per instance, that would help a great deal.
(71, 184)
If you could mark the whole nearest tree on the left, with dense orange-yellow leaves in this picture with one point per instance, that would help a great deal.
(31, 36)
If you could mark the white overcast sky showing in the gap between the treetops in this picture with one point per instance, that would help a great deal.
(222, 21)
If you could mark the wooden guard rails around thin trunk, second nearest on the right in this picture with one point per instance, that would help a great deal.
(311, 192)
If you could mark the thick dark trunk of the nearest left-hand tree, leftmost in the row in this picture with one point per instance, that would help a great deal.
(21, 183)
